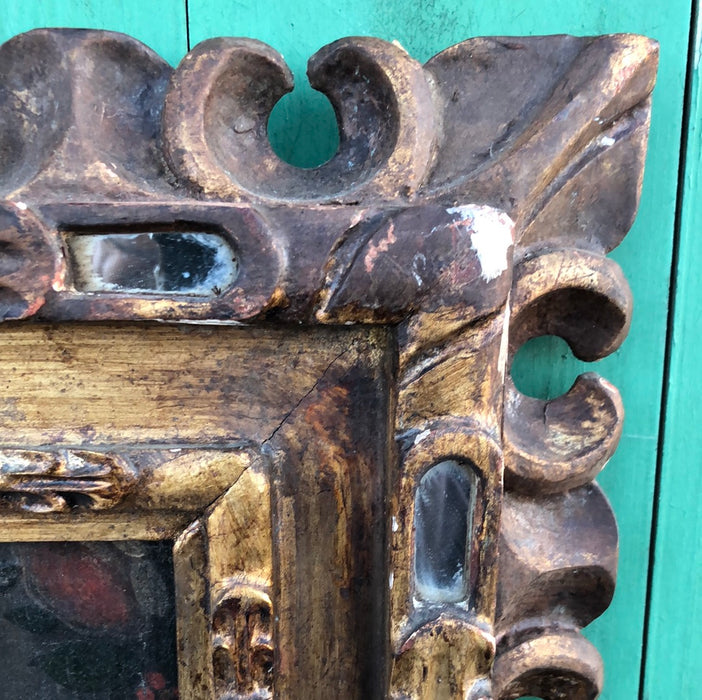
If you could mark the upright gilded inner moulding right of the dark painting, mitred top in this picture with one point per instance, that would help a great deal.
(224, 582)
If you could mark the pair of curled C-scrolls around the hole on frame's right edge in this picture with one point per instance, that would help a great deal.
(585, 299)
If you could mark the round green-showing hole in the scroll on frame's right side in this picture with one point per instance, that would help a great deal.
(544, 367)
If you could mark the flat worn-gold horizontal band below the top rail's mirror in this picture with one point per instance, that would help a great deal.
(168, 385)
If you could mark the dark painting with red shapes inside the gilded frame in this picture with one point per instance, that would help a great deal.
(89, 620)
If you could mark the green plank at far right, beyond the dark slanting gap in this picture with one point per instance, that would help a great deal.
(674, 651)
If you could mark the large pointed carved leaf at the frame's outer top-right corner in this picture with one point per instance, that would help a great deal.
(552, 130)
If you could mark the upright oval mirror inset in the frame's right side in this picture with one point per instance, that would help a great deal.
(443, 514)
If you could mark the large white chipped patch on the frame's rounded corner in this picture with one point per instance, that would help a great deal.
(491, 237)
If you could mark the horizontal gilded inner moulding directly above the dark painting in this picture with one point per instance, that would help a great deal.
(140, 504)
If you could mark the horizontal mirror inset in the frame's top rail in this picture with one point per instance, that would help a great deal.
(200, 264)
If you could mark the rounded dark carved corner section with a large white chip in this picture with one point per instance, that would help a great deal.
(424, 258)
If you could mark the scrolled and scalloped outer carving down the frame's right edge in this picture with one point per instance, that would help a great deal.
(558, 539)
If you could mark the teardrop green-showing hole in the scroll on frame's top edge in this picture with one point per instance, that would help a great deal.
(302, 128)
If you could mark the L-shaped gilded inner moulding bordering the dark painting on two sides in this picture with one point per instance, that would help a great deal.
(196, 516)
